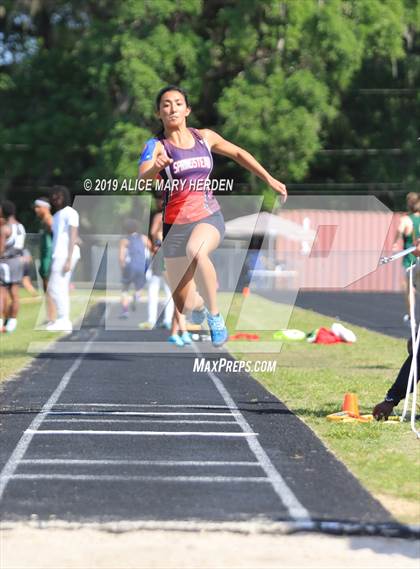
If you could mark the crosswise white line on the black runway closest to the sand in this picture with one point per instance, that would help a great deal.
(123, 478)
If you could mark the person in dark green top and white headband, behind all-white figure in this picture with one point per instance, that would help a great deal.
(42, 208)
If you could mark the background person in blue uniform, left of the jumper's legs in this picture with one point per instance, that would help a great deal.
(132, 257)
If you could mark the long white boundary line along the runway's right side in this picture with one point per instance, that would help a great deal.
(296, 510)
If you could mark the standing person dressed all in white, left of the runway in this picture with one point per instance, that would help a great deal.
(65, 254)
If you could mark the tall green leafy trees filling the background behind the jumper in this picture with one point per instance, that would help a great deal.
(325, 93)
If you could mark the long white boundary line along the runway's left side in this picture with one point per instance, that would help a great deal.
(25, 440)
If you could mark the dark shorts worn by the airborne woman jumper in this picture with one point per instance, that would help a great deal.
(175, 242)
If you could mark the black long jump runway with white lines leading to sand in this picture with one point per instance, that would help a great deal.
(94, 437)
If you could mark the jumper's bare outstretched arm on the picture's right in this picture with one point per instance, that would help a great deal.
(221, 146)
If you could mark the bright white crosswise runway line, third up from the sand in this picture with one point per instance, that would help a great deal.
(140, 433)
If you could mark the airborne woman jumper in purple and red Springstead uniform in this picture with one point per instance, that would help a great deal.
(193, 224)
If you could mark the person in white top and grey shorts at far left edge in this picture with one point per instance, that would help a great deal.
(12, 240)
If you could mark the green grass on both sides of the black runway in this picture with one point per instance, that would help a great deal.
(311, 380)
